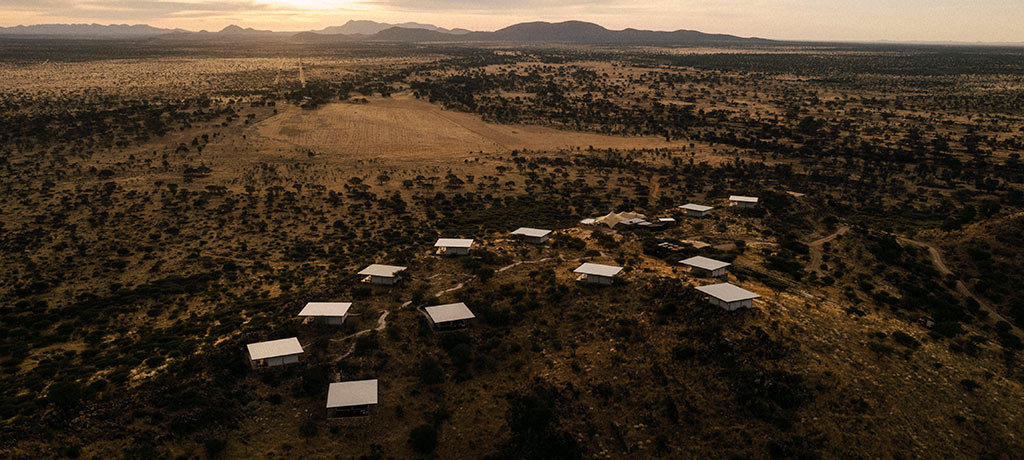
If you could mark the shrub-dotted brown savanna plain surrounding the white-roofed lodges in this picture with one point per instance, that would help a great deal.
(166, 206)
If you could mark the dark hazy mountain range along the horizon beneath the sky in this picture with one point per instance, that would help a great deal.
(568, 32)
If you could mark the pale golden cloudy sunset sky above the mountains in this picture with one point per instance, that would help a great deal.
(907, 21)
